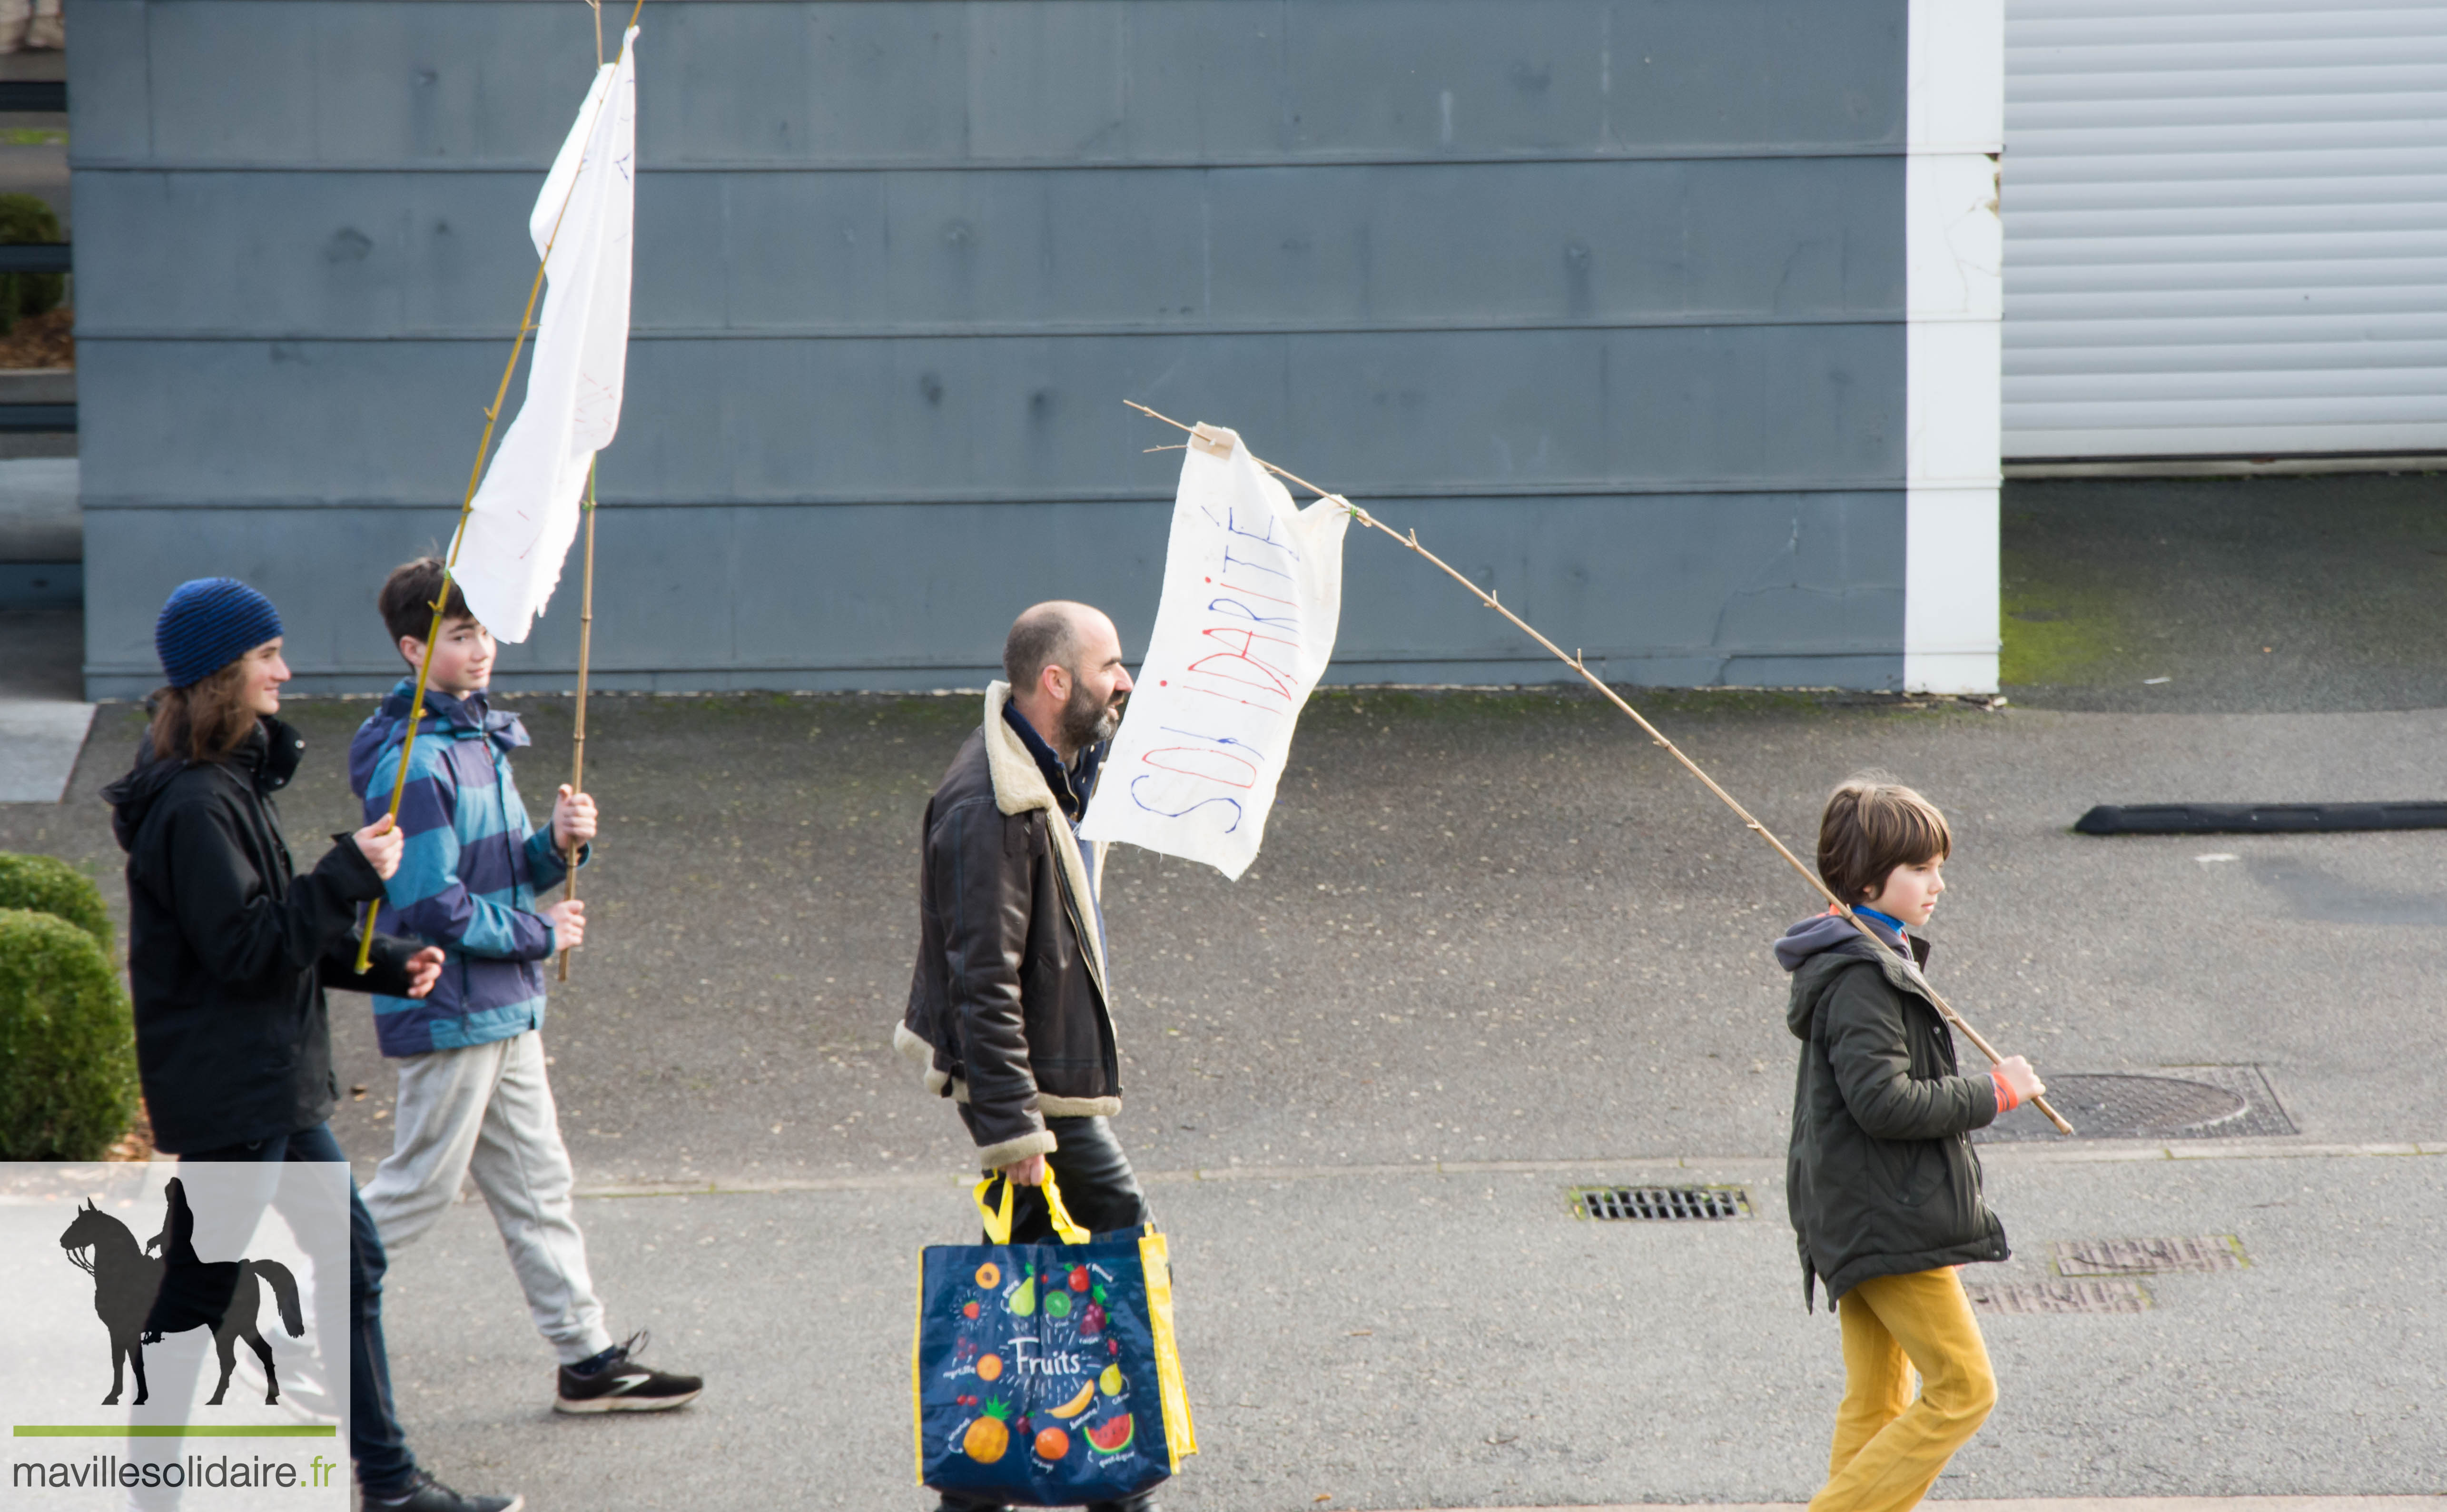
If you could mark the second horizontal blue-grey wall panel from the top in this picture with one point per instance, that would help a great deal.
(366, 253)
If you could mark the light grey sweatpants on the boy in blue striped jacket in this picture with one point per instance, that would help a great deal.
(488, 1112)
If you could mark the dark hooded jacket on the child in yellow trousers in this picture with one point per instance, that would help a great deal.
(1883, 1178)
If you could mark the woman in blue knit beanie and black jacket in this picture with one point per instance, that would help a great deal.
(231, 948)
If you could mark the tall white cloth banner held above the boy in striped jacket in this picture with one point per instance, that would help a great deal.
(527, 513)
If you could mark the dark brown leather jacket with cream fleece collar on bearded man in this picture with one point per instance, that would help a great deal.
(1009, 997)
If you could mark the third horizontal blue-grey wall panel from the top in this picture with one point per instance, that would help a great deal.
(1022, 420)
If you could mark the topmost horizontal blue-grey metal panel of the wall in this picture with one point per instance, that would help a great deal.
(478, 84)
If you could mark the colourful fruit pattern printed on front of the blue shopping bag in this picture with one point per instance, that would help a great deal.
(1039, 1344)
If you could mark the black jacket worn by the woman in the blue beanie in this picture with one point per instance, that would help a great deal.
(229, 951)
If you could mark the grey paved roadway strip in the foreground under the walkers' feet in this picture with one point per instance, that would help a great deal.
(1418, 1340)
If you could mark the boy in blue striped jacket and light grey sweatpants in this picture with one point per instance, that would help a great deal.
(473, 1097)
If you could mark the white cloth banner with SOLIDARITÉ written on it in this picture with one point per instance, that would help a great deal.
(1254, 593)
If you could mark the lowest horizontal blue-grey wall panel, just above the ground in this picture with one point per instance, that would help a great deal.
(1763, 588)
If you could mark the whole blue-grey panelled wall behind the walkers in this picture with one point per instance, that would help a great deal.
(1602, 297)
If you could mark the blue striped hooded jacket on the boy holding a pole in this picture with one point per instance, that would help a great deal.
(469, 875)
